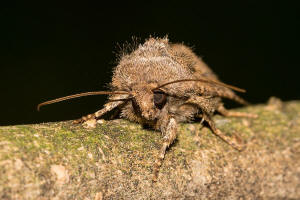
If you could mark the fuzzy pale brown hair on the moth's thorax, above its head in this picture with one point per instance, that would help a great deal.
(150, 62)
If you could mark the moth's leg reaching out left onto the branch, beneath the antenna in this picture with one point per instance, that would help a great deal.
(107, 107)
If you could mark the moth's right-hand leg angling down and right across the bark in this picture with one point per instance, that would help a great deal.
(234, 141)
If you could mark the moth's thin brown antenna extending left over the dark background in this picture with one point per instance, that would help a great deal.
(79, 95)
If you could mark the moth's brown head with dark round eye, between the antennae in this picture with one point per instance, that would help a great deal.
(148, 101)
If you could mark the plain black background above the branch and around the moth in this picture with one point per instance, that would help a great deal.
(51, 49)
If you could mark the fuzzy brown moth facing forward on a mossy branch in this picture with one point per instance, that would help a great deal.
(162, 84)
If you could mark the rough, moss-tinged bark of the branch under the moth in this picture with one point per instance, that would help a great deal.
(114, 160)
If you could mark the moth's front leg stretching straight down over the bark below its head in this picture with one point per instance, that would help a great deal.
(170, 136)
